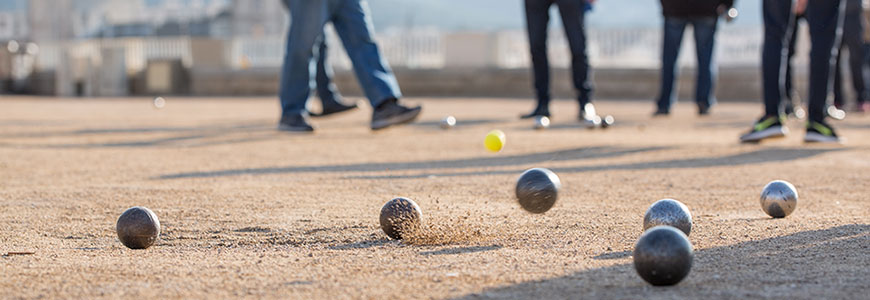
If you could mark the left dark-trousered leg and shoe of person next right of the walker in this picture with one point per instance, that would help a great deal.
(537, 19)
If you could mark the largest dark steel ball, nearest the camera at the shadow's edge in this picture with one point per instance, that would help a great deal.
(663, 255)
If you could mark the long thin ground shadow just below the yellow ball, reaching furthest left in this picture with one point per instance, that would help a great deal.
(562, 155)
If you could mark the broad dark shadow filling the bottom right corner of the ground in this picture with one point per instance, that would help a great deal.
(818, 264)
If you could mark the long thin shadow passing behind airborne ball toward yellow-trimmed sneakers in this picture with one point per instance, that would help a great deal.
(754, 157)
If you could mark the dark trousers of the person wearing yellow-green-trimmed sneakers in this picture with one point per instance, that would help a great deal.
(824, 20)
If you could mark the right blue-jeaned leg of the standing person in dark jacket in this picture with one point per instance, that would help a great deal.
(705, 43)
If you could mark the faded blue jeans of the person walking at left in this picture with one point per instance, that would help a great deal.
(352, 21)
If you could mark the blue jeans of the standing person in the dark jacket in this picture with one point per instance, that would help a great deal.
(705, 40)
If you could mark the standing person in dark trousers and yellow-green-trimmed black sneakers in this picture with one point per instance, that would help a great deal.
(825, 20)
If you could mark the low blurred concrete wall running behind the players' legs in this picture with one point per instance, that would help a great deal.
(734, 84)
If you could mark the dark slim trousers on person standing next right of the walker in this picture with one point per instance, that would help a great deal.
(537, 21)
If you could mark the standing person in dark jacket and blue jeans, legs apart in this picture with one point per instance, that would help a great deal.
(703, 15)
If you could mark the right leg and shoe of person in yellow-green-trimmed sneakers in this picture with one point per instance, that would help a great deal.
(825, 19)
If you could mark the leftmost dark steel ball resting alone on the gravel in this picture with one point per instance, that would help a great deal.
(138, 228)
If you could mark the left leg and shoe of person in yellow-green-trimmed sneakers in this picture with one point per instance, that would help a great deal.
(778, 25)
